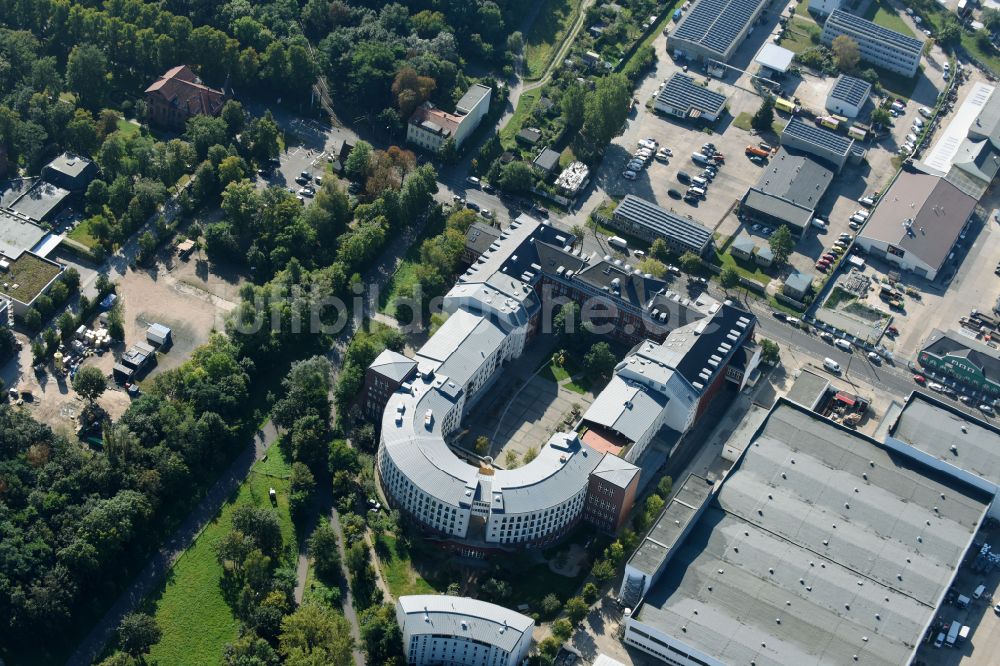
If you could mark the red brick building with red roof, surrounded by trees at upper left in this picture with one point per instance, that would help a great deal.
(178, 95)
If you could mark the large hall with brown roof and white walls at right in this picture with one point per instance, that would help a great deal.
(916, 223)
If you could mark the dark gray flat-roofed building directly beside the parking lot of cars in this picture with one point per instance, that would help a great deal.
(788, 191)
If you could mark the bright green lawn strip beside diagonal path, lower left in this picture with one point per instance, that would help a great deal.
(189, 607)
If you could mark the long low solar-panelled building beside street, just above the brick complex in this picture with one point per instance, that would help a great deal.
(649, 221)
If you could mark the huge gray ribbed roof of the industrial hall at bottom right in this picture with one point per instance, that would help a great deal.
(821, 544)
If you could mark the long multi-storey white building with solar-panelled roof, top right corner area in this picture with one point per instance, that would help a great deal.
(877, 45)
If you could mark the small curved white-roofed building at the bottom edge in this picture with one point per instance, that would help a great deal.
(441, 629)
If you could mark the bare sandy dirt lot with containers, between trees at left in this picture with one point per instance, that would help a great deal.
(186, 296)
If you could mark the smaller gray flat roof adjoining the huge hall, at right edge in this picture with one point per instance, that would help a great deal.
(934, 427)
